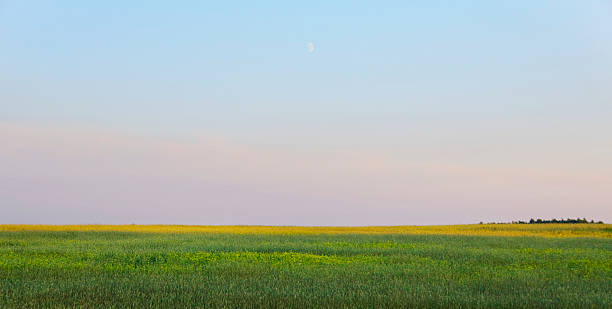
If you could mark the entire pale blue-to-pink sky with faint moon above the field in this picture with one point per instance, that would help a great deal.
(312, 113)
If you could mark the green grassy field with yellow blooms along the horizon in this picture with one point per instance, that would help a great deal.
(540, 265)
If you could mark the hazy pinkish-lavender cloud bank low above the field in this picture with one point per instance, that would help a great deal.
(75, 175)
